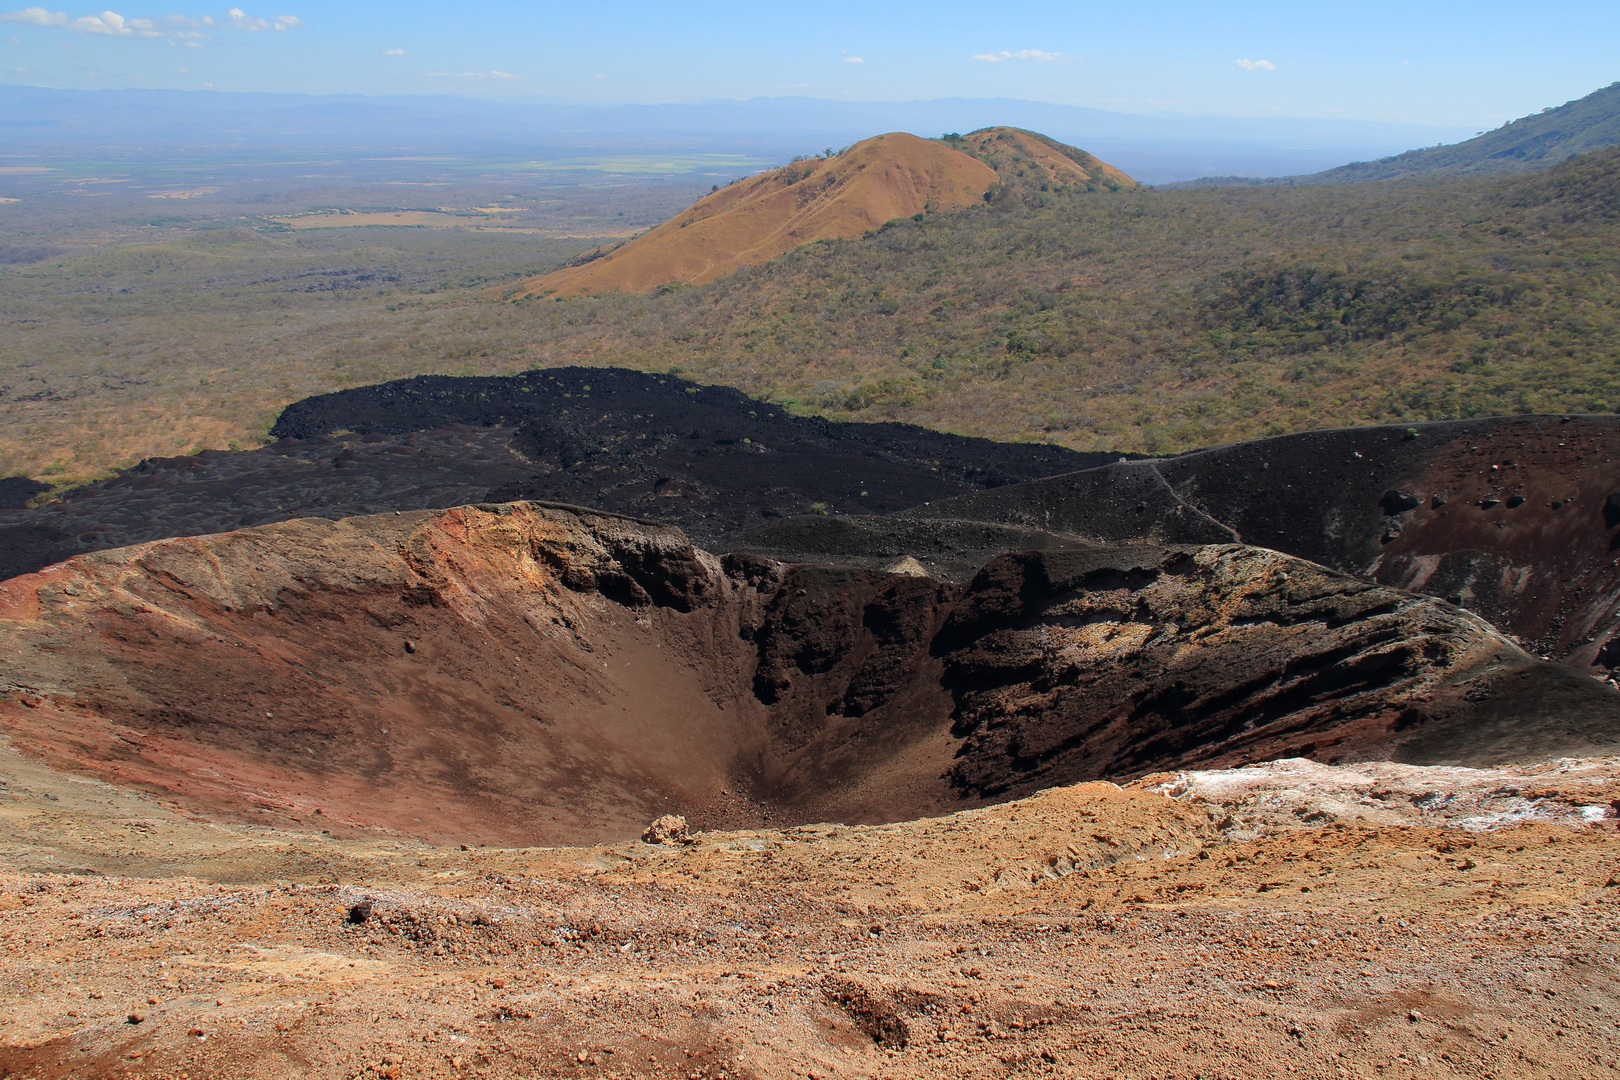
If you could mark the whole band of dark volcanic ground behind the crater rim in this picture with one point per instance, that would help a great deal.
(1512, 517)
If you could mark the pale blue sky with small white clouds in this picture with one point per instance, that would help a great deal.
(1418, 62)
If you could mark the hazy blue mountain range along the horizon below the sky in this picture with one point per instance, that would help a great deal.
(38, 122)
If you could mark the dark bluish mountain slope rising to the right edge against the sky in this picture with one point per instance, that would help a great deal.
(1528, 143)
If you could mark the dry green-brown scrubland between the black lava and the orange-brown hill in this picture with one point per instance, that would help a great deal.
(1133, 320)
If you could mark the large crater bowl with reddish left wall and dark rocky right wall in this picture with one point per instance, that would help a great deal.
(534, 674)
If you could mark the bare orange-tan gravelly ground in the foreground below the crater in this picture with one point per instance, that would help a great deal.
(1370, 921)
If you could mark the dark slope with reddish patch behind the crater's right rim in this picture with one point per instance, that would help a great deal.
(1506, 516)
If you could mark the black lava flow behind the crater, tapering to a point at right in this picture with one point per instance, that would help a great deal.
(707, 459)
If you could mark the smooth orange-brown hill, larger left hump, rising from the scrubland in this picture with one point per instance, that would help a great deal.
(761, 218)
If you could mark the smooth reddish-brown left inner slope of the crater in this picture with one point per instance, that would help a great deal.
(312, 671)
